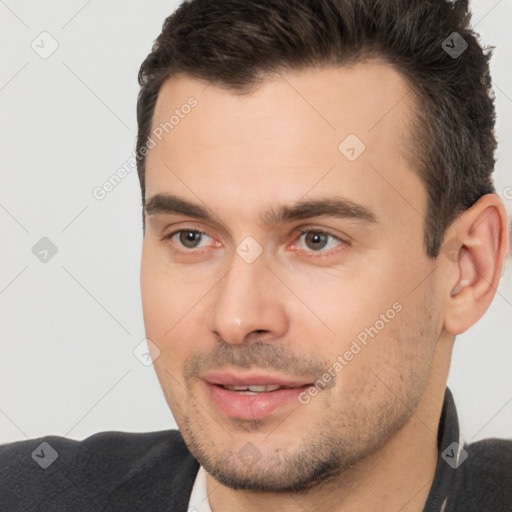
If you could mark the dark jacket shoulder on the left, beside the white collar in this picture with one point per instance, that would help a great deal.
(106, 471)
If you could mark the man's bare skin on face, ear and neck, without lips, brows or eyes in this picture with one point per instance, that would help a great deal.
(368, 440)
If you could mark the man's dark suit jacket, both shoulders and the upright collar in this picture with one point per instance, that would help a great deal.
(117, 471)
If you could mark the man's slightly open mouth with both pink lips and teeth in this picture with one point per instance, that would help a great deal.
(252, 397)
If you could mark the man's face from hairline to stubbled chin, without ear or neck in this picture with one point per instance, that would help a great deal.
(302, 267)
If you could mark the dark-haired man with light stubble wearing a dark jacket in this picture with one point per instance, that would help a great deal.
(320, 222)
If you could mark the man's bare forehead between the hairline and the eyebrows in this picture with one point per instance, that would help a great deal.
(296, 134)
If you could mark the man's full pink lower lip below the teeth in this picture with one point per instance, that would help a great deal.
(251, 407)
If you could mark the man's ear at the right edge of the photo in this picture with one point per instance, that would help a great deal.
(475, 249)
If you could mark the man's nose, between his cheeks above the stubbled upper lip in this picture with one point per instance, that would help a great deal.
(249, 303)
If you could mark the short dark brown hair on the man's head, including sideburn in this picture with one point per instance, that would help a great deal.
(237, 43)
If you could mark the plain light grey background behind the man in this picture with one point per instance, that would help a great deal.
(69, 326)
